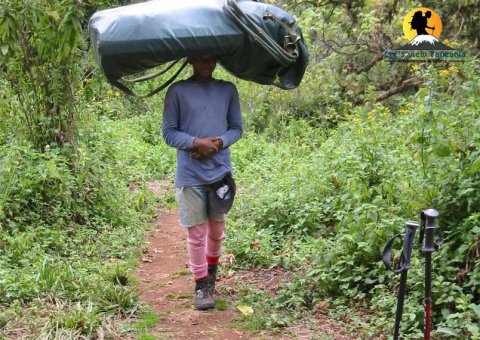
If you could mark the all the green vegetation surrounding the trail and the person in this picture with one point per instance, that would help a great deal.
(326, 174)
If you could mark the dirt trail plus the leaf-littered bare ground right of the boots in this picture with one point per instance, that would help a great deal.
(167, 286)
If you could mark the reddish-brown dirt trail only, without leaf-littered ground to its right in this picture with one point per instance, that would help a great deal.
(167, 286)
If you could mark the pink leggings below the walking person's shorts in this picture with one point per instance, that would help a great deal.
(204, 245)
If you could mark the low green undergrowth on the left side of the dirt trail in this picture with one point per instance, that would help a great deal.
(72, 237)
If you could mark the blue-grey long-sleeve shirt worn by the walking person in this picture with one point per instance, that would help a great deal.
(196, 109)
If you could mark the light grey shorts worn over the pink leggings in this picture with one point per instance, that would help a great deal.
(193, 206)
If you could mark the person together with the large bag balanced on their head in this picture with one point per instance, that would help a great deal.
(253, 41)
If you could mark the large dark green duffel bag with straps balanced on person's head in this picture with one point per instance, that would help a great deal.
(254, 41)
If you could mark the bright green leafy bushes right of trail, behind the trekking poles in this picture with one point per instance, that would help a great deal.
(332, 207)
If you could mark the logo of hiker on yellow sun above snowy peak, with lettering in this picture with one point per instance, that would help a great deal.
(422, 28)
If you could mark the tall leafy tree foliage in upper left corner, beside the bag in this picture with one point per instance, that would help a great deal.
(40, 41)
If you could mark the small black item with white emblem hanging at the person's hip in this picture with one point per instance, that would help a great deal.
(222, 194)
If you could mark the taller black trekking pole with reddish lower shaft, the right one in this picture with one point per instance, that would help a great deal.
(428, 218)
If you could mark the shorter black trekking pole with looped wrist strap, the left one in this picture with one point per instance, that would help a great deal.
(403, 267)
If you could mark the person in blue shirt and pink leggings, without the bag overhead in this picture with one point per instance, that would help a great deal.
(202, 119)
